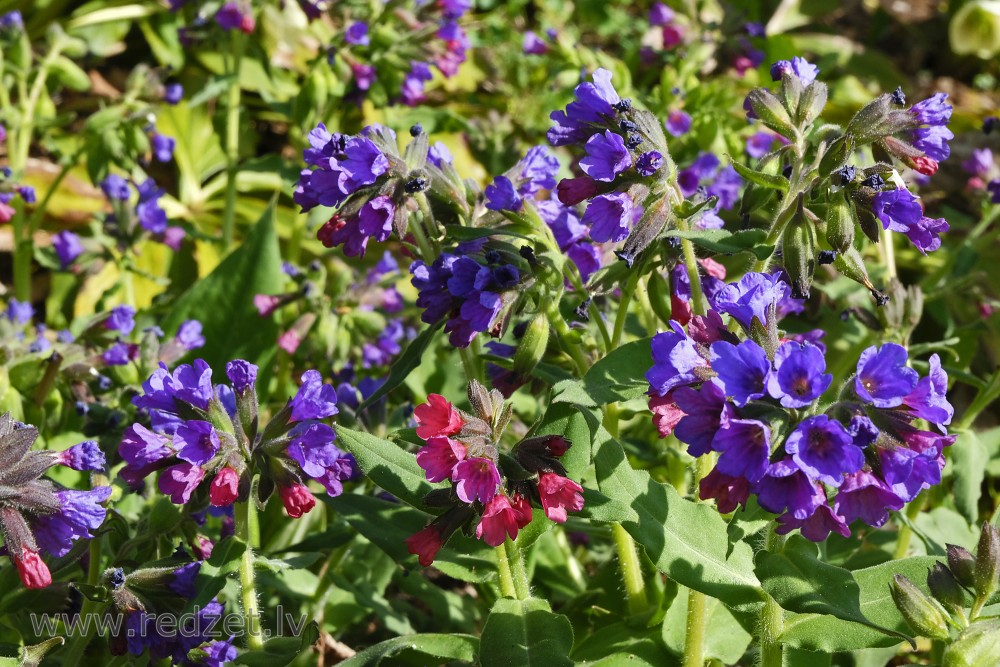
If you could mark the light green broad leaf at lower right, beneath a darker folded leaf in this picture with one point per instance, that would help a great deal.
(829, 633)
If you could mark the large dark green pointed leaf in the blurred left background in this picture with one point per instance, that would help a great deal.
(223, 301)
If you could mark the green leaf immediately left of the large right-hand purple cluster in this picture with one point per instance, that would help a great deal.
(620, 376)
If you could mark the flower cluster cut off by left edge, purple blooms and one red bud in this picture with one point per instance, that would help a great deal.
(37, 516)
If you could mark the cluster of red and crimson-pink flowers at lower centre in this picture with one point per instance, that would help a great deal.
(492, 489)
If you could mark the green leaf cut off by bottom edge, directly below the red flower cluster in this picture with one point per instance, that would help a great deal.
(525, 633)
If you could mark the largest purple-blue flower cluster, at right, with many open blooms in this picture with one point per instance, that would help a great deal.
(755, 402)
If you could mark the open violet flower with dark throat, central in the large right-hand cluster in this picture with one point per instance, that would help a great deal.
(824, 450)
